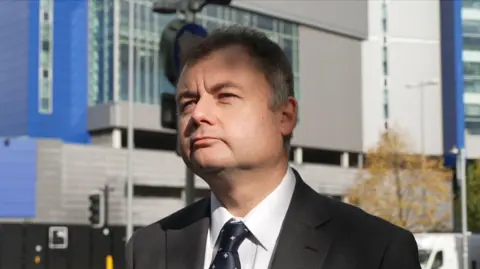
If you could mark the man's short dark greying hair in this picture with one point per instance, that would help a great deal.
(268, 57)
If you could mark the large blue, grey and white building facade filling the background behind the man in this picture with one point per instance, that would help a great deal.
(359, 66)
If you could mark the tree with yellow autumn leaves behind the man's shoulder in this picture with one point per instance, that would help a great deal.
(406, 189)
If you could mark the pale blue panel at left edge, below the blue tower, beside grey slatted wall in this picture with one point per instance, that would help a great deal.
(18, 172)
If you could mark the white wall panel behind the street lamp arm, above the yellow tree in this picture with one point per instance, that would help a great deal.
(412, 64)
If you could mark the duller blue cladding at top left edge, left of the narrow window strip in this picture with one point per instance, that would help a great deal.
(14, 31)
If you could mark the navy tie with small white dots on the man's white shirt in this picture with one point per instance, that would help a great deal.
(231, 236)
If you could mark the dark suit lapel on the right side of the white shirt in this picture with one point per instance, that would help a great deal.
(305, 239)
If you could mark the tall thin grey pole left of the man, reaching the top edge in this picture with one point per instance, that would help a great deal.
(130, 140)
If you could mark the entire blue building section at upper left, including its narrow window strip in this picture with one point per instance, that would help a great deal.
(44, 69)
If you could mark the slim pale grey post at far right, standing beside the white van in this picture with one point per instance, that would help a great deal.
(462, 174)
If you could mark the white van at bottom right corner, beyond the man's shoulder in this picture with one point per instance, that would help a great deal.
(444, 250)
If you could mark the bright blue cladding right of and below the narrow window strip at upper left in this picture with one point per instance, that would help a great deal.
(70, 77)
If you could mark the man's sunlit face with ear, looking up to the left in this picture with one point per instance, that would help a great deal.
(225, 117)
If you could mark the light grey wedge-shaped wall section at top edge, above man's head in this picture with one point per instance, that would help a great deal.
(345, 17)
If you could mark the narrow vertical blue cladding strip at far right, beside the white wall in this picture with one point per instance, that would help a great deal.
(452, 78)
